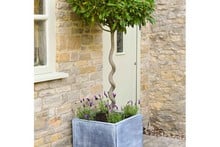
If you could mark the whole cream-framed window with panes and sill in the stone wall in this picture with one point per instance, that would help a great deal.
(45, 41)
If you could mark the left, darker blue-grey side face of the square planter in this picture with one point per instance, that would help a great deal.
(92, 134)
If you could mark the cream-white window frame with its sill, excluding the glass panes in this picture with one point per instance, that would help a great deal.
(48, 71)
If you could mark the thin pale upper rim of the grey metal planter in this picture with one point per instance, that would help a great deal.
(107, 123)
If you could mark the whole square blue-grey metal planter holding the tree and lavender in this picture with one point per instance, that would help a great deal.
(126, 133)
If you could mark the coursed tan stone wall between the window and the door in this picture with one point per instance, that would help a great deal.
(78, 53)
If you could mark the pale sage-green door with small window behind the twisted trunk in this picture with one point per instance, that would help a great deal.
(125, 59)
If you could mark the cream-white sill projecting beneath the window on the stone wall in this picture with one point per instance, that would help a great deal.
(50, 76)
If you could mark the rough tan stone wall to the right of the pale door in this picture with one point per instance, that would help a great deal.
(163, 68)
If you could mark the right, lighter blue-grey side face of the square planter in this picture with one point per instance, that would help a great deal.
(130, 132)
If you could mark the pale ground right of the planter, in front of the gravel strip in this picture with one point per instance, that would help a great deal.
(159, 141)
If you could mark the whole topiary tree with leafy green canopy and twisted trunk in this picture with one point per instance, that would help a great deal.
(117, 15)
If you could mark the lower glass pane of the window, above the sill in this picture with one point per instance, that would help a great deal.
(40, 53)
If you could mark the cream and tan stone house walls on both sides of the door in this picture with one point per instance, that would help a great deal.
(79, 53)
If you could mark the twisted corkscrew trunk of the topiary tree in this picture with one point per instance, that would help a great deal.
(113, 68)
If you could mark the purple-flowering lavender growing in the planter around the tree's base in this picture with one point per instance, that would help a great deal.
(99, 108)
